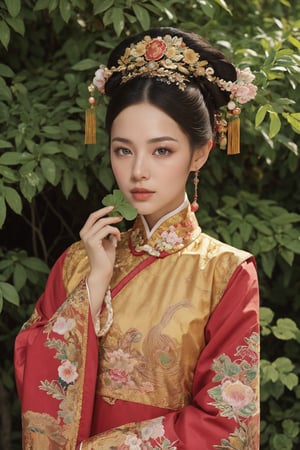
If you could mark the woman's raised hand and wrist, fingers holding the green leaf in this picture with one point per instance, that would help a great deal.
(100, 238)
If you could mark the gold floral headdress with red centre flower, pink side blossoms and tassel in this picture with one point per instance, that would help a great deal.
(170, 59)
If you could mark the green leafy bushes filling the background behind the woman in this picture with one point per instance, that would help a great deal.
(50, 181)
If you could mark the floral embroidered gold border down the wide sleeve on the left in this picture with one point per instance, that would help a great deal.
(67, 335)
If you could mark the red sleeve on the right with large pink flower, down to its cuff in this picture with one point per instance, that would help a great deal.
(224, 412)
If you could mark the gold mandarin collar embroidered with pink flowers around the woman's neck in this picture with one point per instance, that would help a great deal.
(171, 234)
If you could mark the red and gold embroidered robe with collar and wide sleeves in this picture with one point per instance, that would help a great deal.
(177, 370)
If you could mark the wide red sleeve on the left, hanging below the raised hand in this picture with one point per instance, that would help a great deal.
(55, 369)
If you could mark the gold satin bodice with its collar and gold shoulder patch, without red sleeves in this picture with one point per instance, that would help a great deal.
(150, 353)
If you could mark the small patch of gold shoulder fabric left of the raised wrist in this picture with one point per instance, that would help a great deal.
(76, 266)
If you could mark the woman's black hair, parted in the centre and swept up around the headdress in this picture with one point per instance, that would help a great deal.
(193, 108)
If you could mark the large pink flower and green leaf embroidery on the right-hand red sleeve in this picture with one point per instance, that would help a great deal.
(237, 395)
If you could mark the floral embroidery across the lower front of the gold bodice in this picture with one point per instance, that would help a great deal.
(148, 365)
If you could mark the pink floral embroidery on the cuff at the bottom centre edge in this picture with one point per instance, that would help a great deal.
(149, 436)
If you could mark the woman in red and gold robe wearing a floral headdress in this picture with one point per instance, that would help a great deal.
(149, 339)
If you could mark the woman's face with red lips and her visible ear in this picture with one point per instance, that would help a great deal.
(151, 159)
